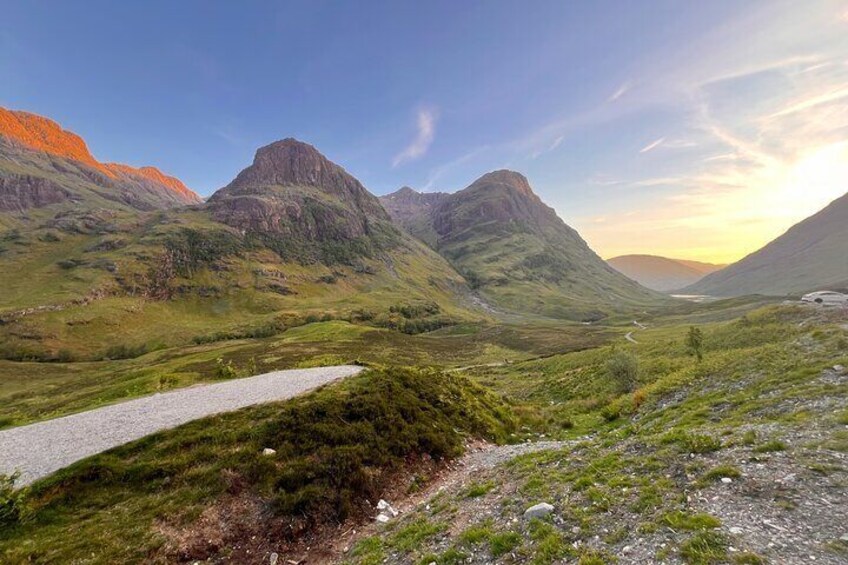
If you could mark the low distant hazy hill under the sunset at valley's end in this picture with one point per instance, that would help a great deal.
(661, 273)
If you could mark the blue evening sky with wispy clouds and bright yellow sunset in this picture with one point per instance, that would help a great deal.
(697, 130)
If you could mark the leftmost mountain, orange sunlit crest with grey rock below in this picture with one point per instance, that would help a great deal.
(43, 165)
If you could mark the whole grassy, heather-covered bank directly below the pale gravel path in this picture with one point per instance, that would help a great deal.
(335, 449)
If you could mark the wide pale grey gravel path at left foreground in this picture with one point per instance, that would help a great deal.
(38, 450)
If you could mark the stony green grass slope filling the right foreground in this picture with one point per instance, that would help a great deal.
(718, 461)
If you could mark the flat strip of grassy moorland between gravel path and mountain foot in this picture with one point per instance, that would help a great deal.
(31, 391)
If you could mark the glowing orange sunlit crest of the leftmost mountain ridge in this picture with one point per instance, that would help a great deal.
(42, 134)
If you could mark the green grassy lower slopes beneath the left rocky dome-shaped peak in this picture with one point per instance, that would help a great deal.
(170, 279)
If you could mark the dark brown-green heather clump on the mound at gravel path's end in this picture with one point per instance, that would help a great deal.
(338, 450)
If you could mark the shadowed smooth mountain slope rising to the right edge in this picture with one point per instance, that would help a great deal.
(812, 255)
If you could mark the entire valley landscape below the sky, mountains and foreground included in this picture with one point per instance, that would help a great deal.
(465, 356)
